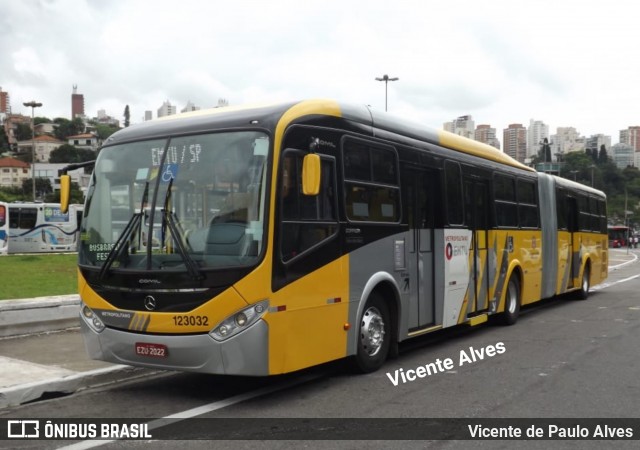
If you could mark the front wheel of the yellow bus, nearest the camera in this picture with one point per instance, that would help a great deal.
(374, 335)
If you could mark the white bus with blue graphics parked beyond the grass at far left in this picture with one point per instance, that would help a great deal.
(42, 228)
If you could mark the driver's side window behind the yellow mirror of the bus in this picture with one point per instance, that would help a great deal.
(306, 220)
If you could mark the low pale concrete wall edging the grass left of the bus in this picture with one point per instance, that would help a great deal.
(40, 314)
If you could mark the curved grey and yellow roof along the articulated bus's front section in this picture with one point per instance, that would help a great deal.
(269, 115)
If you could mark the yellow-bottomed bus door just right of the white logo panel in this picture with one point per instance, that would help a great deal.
(477, 217)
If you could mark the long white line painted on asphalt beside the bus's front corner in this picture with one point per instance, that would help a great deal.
(200, 410)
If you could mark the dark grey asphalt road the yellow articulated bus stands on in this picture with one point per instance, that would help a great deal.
(563, 359)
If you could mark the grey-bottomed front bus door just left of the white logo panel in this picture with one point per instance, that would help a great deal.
(420, 195)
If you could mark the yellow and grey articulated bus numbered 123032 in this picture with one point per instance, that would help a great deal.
(263, 240)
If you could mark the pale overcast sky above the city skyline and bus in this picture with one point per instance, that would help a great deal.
(565, 62)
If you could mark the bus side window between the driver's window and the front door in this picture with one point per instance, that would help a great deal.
(372, 191)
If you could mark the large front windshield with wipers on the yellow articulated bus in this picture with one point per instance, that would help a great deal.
(184, 203)
